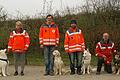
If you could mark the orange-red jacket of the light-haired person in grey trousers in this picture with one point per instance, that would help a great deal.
(18, 42)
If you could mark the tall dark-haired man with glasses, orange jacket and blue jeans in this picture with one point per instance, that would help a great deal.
(49, 40)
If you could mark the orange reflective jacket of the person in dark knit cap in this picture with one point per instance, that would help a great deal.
(74, 41)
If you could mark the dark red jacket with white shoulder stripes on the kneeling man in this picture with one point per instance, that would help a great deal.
(105, 49)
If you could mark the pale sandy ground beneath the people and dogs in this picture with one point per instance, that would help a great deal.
(36, 73)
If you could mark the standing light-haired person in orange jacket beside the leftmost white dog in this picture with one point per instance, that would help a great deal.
(18, 43)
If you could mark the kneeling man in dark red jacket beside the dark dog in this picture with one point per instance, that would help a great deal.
(104, 50)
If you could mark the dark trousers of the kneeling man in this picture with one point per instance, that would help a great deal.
(107, 67)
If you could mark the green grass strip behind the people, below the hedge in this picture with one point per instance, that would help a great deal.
(36, 59)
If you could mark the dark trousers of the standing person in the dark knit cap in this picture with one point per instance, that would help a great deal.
(75, 61)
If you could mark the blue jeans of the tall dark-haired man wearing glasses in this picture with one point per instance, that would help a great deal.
(48, 57)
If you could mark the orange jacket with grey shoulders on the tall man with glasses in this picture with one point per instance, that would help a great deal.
(49, 34)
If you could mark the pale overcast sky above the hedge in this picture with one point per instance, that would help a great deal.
(33, 7)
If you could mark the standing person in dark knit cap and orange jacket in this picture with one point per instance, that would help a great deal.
(74, 45)
